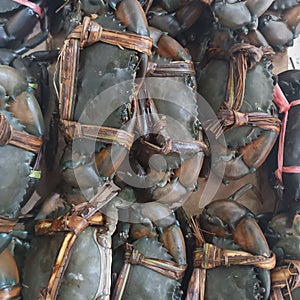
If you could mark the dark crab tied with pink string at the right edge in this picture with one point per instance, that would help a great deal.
(287, 98)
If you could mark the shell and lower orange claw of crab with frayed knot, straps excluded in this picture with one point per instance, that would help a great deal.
(247, 146)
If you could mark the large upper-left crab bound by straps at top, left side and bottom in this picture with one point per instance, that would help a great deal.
(97, 98)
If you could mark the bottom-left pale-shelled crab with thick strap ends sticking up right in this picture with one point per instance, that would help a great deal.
(56, 251)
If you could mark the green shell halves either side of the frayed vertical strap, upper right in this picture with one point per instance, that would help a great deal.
(212, 81)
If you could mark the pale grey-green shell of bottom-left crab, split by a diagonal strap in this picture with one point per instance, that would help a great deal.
(87, 271)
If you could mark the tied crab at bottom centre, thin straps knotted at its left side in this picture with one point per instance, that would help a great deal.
(150, 251)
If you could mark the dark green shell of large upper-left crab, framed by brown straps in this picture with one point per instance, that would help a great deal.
(105, 81)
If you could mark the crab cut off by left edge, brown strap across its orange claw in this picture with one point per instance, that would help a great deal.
(22, 128)
